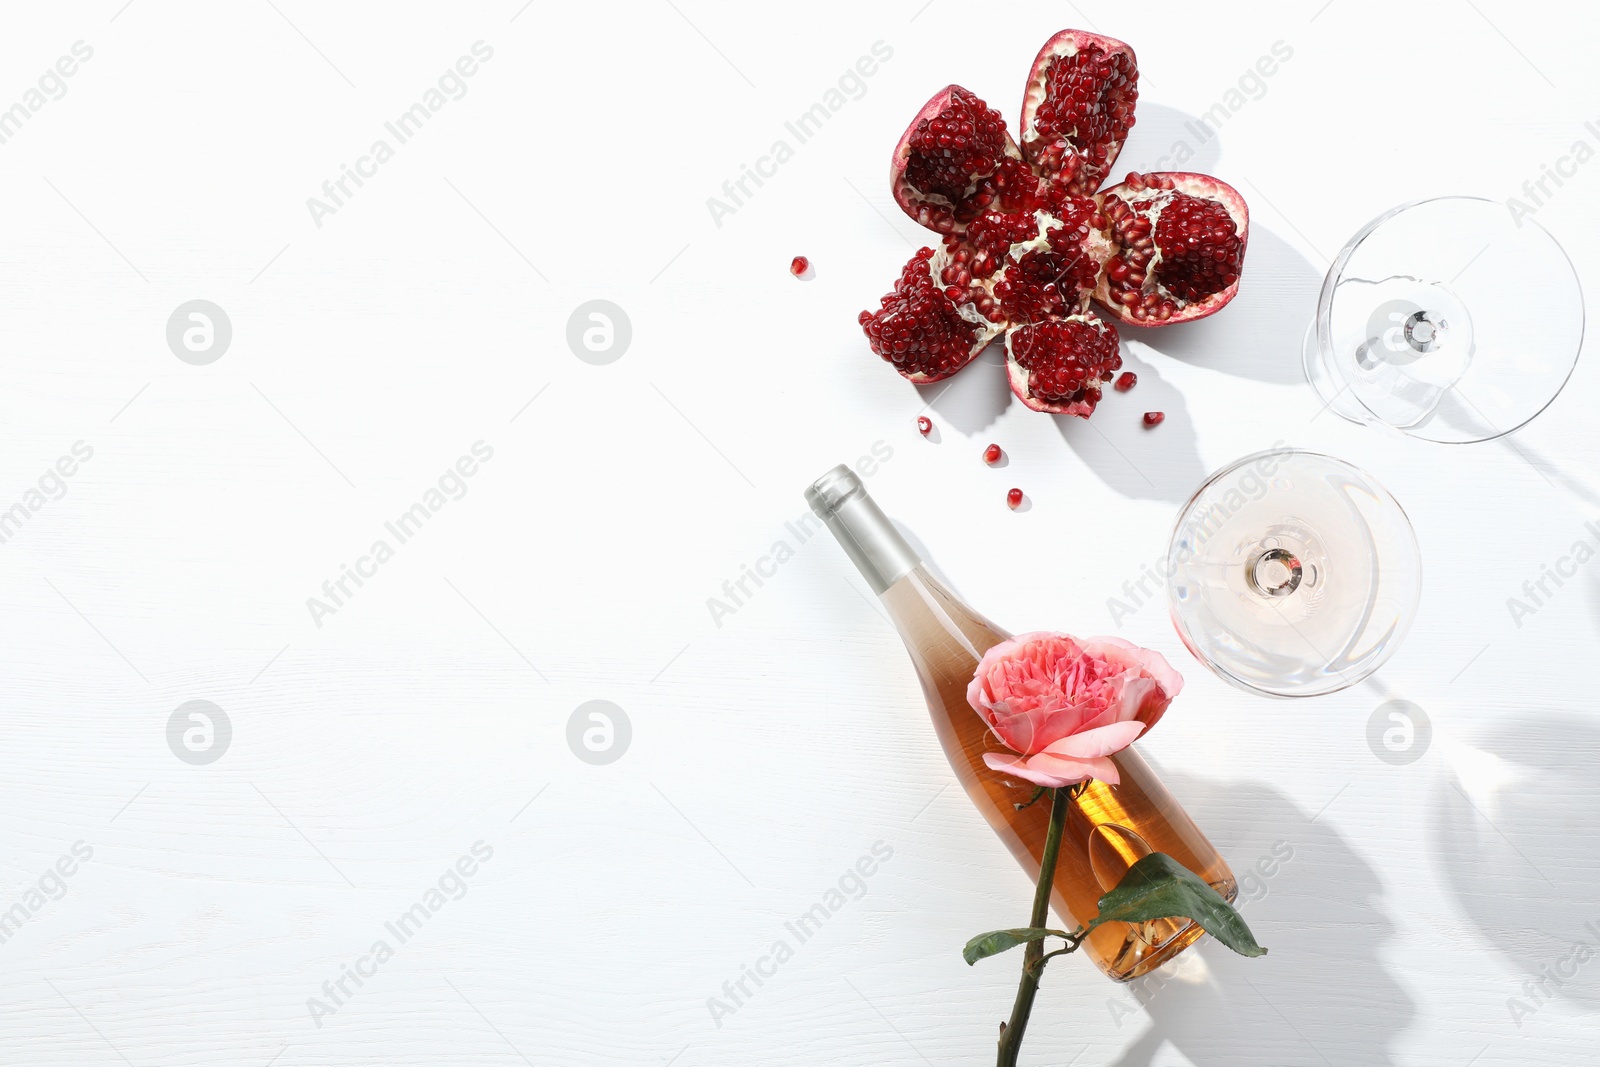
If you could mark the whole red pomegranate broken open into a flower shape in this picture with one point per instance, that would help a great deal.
(1028, 242)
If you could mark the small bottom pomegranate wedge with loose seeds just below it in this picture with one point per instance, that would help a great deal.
(1062, 367)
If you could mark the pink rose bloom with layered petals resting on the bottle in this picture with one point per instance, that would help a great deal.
(1066, 705)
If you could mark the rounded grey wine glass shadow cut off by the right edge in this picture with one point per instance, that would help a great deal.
(1518, 833)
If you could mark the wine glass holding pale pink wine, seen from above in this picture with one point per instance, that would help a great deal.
(1294, 573)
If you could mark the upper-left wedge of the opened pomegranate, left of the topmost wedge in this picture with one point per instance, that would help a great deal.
(958, 161)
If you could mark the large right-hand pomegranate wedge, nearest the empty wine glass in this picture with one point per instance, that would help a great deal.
(1180, 247)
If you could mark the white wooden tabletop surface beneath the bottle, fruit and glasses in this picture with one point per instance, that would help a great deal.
(769, 753)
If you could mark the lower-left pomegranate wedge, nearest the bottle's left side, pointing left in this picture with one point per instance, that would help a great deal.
(919, 330)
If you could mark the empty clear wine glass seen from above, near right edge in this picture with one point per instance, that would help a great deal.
(1450, 321)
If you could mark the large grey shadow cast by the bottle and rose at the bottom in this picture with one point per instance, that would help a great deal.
(1322, 996)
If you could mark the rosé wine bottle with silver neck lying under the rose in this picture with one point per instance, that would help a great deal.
(1110, 828)
